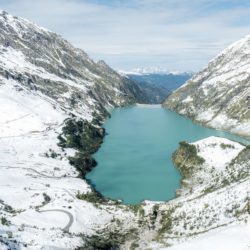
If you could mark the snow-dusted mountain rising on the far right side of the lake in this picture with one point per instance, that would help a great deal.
(219, 95)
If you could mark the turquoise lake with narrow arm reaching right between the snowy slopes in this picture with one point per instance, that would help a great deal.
(134, 162)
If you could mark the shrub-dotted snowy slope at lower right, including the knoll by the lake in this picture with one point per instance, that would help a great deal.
(213, 205)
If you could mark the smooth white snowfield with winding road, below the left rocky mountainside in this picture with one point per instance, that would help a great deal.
(37, 192)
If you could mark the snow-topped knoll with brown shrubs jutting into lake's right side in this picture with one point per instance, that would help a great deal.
(212, 163)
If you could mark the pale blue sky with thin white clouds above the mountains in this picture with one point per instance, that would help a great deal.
(173, 34)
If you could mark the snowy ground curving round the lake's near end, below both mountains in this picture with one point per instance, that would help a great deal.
(28, 177)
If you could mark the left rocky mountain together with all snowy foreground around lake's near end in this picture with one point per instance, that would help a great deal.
(44, 204)
